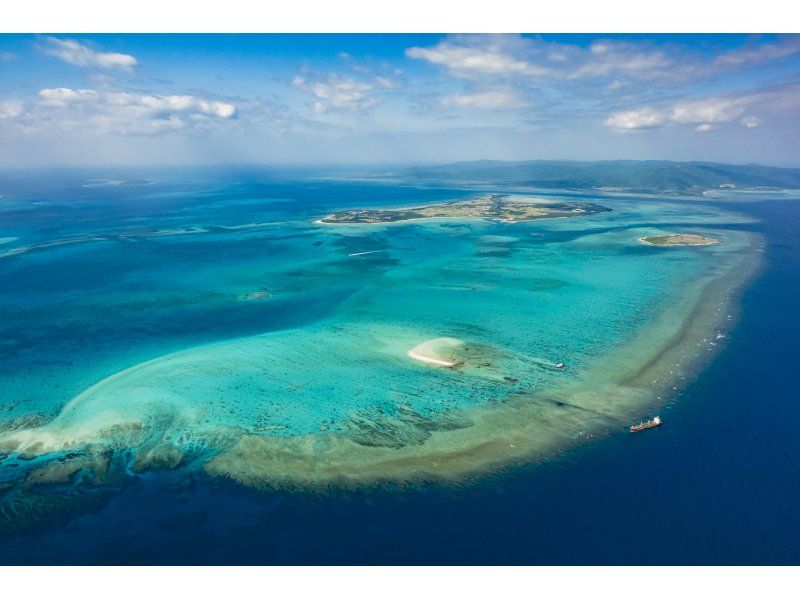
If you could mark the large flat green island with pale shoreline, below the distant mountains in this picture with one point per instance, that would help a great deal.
(496, 207)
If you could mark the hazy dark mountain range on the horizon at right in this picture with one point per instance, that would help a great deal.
(653, 176)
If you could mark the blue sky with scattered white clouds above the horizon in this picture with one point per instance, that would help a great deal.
(117, 100)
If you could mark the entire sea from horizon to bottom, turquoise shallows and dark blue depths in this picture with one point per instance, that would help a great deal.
(192, 287)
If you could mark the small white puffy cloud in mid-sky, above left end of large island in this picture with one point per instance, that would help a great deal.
(343, 93)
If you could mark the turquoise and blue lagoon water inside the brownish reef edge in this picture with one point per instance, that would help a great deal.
(201, 314)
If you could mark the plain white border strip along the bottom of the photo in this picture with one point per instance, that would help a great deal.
(398, 582)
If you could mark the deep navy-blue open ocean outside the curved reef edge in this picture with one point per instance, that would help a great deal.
(717, 484)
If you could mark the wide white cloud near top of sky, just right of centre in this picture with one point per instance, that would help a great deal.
(476, 55)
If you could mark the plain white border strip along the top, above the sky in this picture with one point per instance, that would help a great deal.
(422, 16)
